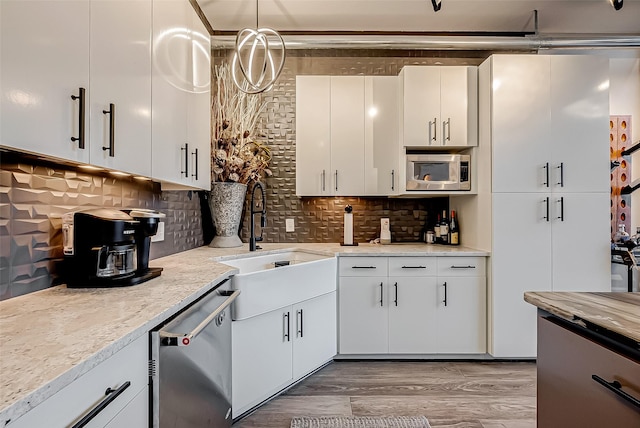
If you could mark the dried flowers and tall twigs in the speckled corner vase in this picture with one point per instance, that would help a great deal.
(237, 155)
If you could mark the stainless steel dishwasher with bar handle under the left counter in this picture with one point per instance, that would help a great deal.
(190, 369)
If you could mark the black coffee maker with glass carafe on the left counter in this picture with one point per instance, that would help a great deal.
(108, 248)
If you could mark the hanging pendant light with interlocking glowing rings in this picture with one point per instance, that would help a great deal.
(258, 58)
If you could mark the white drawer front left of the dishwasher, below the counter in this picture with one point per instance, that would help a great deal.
(77, 399)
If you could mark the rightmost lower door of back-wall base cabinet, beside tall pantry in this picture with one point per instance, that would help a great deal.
(461, 315)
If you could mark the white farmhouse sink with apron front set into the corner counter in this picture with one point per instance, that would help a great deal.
(265, 285)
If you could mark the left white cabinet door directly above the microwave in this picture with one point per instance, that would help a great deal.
(421, 121)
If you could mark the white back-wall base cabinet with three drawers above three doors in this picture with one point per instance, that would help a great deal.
(412, 305)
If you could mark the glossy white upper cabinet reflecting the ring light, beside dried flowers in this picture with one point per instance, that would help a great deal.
(180, 104)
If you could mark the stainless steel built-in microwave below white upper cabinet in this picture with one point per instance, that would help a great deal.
(426, 172)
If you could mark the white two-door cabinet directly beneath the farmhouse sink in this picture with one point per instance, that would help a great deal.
(275, 349)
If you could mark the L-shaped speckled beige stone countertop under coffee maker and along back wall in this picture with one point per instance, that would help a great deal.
(52, 337)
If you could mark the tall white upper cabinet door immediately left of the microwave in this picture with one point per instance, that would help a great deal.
(381, 151)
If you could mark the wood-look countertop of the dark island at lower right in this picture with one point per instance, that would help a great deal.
(616, 312)
